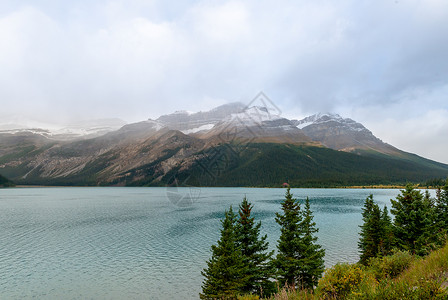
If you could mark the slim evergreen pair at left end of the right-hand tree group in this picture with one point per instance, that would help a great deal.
(376, 231)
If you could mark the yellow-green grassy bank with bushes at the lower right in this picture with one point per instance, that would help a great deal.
(399, 276)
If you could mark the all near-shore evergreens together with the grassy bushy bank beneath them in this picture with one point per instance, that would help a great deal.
(403, 253)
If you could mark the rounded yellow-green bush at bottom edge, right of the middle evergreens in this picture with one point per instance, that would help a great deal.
(340, 281)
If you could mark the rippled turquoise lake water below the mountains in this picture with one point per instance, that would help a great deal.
(144, 243)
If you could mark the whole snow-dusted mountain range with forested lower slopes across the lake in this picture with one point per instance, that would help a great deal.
(231, 145)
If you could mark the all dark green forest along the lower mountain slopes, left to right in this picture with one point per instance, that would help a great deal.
(252, 165)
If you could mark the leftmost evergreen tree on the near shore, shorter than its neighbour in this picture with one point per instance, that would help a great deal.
(224, 275)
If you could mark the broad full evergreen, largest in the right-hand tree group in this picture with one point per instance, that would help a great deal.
(413, 221)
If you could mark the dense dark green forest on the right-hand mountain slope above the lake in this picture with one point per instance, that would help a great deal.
(271, 165)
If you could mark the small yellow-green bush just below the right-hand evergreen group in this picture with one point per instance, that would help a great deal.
(390, 266)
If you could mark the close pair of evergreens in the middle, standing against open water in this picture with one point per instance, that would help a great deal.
(299, 259)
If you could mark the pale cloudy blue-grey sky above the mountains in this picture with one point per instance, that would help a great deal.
(382, 63)
